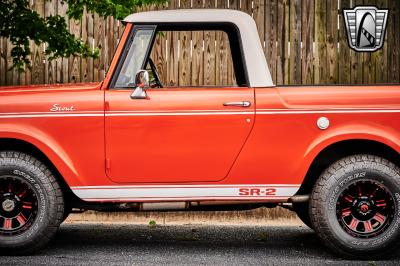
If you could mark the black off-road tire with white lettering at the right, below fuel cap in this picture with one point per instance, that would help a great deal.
(333, 184)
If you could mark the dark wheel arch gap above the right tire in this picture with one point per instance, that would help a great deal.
(337, 150)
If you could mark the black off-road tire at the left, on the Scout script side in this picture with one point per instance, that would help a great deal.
(50, 204)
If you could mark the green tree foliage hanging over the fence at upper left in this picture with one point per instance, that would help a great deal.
(21, 24)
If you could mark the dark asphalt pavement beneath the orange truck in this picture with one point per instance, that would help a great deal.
(122, 244)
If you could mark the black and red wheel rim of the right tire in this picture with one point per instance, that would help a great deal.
(365, 209)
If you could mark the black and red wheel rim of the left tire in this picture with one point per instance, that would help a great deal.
(18, 205)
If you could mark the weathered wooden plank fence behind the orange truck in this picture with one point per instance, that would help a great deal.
(305, 42)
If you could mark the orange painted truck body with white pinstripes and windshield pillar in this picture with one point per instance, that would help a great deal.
(185, 136)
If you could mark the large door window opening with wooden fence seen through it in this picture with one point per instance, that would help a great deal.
(193, 58)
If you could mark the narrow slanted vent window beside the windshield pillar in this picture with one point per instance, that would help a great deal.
(134, 59)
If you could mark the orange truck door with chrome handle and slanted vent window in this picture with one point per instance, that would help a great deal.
(175, 135)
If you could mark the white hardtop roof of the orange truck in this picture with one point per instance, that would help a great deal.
(257, 68)
